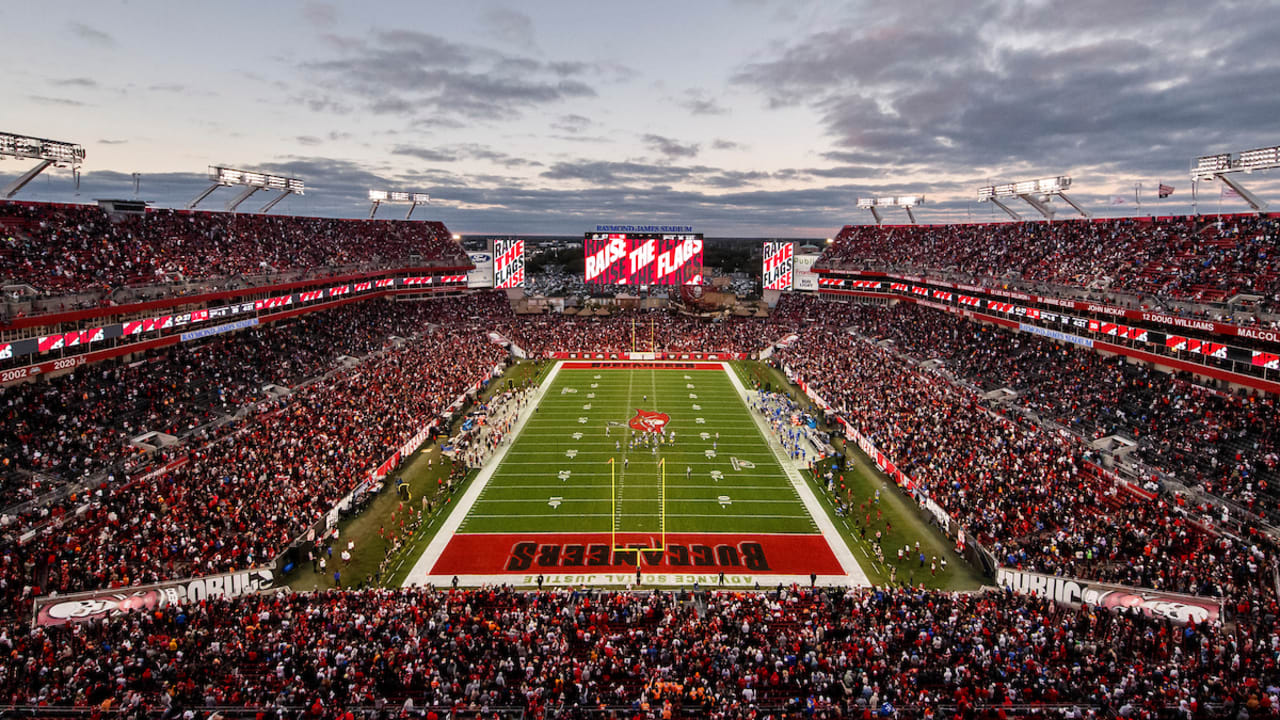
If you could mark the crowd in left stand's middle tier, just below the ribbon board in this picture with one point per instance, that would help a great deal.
(79, 425)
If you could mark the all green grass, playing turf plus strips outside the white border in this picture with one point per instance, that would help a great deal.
(753, 493)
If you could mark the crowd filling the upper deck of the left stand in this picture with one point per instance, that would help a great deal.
(80, 248)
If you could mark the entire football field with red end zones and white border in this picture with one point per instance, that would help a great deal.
(619, 467)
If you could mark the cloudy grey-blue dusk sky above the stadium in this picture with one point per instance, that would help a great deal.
(740, 117)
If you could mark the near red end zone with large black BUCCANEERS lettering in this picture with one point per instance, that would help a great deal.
(556, 553)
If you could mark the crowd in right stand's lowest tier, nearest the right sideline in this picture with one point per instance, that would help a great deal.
(1018, 489)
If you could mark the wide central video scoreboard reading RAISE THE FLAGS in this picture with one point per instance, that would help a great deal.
(643, 258)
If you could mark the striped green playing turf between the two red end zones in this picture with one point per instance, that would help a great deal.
(531, 493)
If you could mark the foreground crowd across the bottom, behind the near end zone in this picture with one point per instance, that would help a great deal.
(784, 654)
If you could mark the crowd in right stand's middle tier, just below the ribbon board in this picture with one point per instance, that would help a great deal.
(1204, 436)
